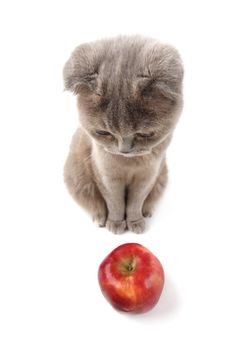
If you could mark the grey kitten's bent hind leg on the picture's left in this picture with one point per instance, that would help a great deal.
(80, 181)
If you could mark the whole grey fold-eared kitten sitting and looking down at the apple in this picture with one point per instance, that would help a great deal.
(129, 98)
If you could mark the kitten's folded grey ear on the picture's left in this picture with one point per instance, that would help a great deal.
(81, 70)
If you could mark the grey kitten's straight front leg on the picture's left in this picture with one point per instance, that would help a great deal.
(114, 194)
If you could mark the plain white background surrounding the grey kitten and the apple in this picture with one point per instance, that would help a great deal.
(49, 248)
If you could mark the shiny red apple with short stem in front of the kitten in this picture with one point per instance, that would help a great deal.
(131, 278)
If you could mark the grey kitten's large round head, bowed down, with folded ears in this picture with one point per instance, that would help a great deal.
(129, 92)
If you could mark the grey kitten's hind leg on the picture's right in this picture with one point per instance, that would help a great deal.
(156, 192)
